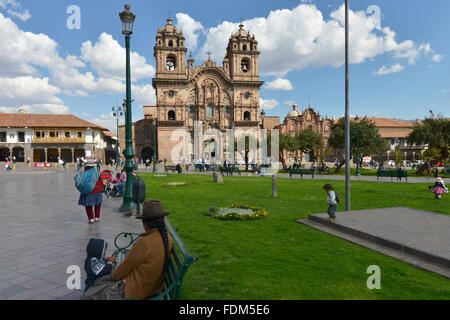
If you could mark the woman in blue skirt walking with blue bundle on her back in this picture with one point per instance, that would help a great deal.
(92, 201)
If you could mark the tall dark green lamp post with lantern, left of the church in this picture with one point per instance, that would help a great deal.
(127, 18)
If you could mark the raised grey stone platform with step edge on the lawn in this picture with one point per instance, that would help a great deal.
(419, 237)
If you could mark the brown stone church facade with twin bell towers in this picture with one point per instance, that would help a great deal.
(221, 97)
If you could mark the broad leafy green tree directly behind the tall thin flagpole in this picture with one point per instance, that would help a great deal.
(370, 141)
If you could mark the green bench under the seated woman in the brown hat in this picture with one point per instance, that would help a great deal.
(179, 261)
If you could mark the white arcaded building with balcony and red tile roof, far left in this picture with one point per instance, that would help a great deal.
(47, 137)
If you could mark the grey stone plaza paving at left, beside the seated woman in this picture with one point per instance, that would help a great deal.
(43, 231)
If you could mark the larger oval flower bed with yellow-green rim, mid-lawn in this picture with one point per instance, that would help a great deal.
(237, 212)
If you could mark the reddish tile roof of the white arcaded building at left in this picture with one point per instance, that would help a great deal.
(17, 120)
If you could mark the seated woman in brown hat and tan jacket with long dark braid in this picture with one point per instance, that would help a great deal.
(142, 272)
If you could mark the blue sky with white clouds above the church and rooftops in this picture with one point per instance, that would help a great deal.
(398, 71)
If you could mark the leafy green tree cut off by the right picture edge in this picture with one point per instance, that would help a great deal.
(435, 132)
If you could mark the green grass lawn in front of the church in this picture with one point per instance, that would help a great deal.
(278, 258)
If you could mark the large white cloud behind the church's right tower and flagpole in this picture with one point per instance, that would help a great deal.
(294, 39)
